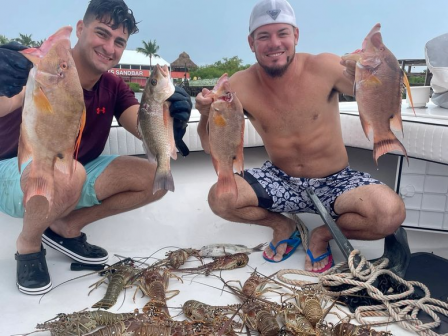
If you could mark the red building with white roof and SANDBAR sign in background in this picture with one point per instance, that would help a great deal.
(134, 67)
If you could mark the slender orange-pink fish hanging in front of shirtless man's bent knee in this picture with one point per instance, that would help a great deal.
(226, 135)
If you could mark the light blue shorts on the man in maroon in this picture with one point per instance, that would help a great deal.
(11, 195)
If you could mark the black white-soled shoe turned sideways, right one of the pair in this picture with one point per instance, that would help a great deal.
(76, 248)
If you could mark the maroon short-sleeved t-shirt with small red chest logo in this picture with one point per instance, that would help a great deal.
(109, 97)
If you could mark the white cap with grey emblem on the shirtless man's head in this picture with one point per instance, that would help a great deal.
(271, 11)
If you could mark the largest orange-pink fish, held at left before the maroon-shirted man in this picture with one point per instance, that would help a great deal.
(53, 115)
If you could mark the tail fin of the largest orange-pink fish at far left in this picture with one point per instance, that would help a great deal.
(40, 182)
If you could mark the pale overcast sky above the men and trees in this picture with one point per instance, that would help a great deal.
(209, 30)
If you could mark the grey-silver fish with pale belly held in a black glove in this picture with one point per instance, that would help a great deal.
(155, 126)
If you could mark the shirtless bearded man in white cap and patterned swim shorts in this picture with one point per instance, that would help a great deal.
(292, 101)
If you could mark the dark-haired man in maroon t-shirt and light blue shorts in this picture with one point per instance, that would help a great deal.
(101, 186)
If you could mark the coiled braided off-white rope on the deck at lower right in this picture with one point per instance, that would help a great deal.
(362, 277)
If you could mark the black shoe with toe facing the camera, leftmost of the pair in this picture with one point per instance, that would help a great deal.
(32, 273)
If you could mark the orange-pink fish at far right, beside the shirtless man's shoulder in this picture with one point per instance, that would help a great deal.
(378, 91)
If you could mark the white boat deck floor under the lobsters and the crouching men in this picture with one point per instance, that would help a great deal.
(180, 219)
